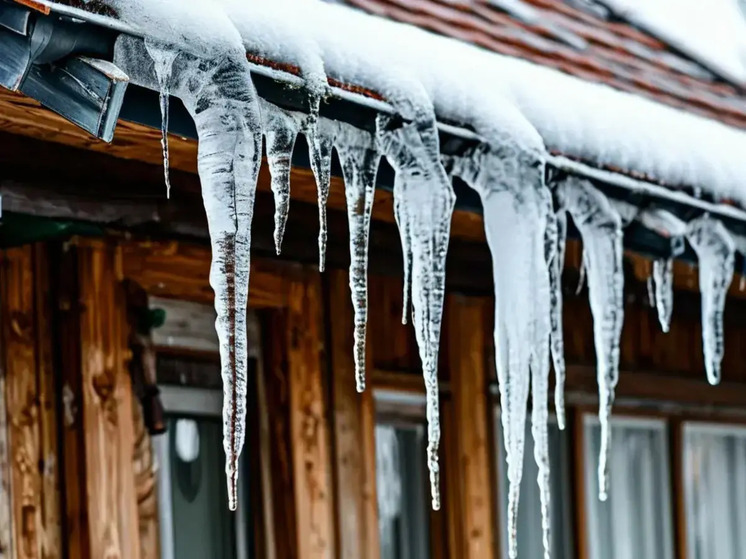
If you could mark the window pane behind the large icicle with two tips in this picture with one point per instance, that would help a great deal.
(529, 508)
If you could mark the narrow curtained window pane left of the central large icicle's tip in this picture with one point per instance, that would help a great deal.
(402, 484)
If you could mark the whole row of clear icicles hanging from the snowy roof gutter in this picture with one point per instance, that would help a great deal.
(526, 227)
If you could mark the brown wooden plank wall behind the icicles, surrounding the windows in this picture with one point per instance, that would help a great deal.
(76, 474)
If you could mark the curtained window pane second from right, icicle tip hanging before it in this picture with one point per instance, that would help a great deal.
(635, 521)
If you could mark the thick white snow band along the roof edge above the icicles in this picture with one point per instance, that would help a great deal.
(466, 84)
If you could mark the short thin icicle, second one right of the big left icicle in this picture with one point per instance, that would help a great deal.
(321, 144)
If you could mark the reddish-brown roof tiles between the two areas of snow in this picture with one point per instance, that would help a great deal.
(606, 50)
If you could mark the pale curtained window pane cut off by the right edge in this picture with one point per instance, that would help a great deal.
(715, 490)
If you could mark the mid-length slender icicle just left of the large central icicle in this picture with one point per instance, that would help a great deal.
(360, 161)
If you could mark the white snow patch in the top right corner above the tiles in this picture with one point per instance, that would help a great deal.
(712, 32)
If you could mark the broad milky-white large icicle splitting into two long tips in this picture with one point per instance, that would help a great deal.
(510, 181)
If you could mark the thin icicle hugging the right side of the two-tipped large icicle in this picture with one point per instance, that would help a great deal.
(556, 237)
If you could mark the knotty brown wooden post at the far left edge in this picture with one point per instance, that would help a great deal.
(31, 405)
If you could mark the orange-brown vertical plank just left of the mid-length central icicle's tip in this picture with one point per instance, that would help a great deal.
(308, 422)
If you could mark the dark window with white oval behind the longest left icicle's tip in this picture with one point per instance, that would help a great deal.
(194, 517)
